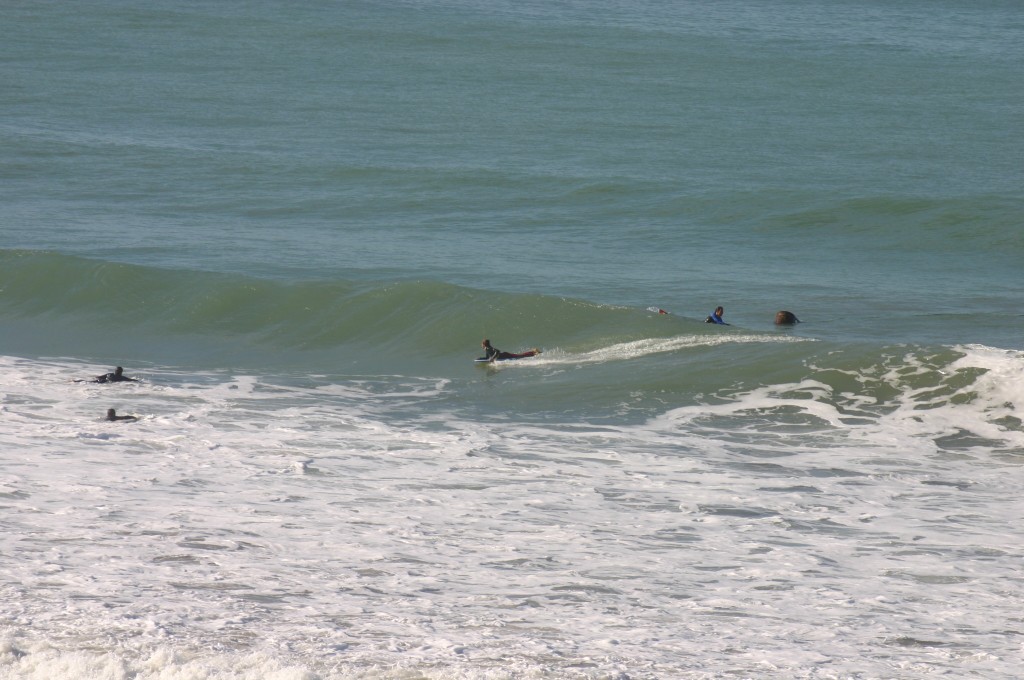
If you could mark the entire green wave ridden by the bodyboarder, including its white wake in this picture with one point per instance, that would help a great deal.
(60, 306)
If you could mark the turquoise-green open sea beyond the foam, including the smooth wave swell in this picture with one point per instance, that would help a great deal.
(333, 176)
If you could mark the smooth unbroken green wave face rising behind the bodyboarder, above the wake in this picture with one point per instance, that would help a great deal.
(106, 310)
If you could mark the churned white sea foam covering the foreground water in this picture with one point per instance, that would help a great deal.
(247, 528)
